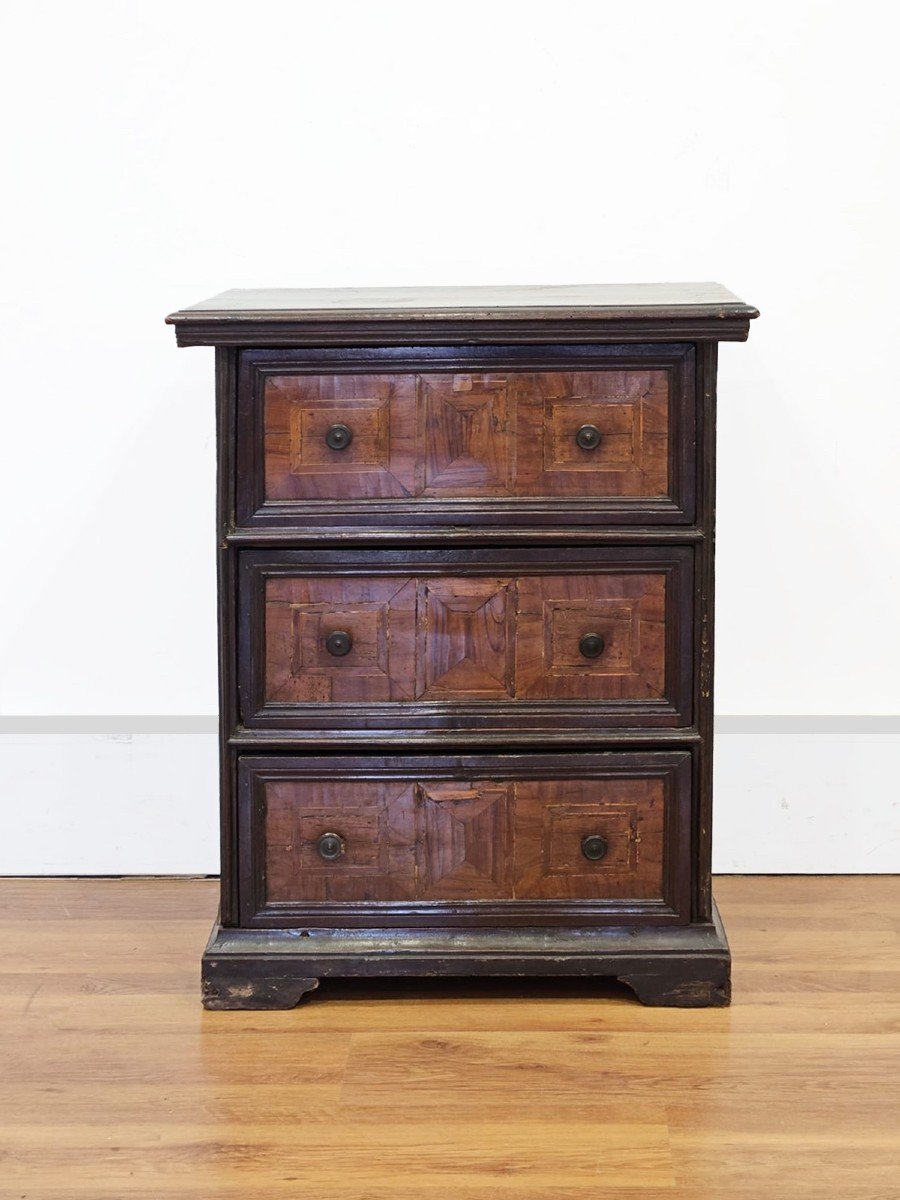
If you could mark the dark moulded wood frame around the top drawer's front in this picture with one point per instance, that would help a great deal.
(491, 513)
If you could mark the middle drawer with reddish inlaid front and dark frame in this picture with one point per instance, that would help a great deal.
(466, 639)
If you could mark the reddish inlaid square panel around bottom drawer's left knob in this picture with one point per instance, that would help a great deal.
(375, 823)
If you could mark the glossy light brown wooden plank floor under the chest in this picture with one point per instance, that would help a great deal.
(116, 1084)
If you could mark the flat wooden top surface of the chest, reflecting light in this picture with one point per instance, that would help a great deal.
(596, 302)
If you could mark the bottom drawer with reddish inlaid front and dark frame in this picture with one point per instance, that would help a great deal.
(530, 839)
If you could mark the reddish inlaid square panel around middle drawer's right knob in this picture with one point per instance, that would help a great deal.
(626, 611)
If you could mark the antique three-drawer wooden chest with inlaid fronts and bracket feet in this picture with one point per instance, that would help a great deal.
(466, 635)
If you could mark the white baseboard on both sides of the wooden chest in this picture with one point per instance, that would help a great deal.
(793, 795)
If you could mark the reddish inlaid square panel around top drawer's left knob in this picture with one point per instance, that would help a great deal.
(303, 461)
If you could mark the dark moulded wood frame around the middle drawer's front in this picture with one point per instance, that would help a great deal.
(256, 567)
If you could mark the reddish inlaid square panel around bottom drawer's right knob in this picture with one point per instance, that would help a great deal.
(554, 819)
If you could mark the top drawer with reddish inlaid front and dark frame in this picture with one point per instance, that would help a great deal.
(603, 433)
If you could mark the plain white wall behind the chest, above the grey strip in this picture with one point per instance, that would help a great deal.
(161, 153)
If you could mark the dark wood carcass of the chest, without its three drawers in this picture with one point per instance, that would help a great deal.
(686, 965)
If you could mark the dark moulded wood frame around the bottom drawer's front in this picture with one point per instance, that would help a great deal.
(674, 767)
